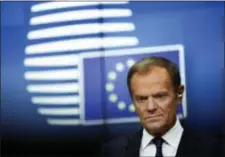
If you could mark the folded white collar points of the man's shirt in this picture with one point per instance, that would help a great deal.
(172, 137)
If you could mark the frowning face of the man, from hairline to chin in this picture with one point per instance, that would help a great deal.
(155, 100)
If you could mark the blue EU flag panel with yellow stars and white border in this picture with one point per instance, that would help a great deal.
(106, 95)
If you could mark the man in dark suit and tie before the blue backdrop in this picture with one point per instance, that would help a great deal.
(155, 88)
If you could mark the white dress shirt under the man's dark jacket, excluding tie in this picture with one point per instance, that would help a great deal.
(169, 148)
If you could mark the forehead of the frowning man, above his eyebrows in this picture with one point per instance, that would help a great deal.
(154, 79)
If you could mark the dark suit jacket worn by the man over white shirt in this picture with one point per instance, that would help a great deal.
(192, 144)
